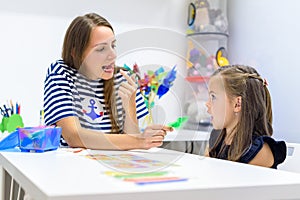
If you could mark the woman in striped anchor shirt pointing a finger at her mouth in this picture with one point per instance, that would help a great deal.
(95, 102)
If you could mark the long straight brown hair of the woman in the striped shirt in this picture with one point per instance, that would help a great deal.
(75, 43)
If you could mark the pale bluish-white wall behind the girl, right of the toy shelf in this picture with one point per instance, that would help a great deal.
(266, 34)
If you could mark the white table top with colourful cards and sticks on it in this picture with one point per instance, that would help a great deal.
(61, 175)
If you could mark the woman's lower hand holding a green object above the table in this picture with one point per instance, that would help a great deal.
(154, 135)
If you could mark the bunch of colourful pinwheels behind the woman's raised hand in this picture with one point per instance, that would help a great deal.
(153, 85)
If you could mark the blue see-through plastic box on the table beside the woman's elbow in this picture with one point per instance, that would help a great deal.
(39, 139)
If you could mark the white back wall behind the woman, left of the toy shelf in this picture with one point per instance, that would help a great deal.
(32, 33)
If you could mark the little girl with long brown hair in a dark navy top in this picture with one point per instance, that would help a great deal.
(240, 107)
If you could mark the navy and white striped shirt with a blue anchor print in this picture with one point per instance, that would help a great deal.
(69, 93)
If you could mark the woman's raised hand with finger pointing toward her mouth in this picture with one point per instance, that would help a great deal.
(127, 91)
